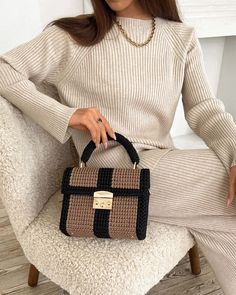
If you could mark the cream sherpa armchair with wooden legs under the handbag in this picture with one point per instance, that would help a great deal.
(31, 167)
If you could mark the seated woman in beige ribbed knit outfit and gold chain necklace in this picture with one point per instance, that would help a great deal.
(123, 69)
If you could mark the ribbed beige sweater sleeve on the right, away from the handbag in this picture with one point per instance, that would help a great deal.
(204, 112)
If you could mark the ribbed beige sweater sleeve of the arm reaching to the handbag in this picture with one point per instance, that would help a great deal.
(42, 58)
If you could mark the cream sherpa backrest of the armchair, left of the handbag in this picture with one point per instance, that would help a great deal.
(31, 165)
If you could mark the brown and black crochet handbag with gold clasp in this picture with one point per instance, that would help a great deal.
(105, 202)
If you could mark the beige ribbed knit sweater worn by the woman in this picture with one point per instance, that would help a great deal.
(136, 89)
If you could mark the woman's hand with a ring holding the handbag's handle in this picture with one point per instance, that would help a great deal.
(85, 119)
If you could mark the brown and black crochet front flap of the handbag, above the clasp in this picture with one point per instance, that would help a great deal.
(86, 180)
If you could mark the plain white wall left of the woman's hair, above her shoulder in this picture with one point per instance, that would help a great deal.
(21, 20)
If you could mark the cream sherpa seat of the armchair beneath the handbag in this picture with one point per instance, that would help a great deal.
(88, 266)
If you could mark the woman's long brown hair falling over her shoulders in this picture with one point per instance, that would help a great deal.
(89, 29)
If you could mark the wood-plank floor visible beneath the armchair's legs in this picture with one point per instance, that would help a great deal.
(14, 268)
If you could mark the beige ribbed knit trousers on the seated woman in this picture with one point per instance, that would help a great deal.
(189, 188)
